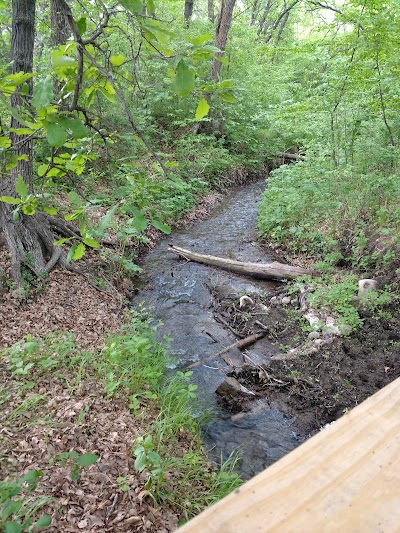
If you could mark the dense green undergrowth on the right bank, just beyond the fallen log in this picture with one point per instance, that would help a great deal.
(339, 217)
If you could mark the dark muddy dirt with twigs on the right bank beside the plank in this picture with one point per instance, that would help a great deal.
(312, 388)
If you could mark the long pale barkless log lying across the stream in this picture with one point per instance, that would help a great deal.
(272, 270)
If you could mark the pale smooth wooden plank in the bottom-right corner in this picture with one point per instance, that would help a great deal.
(345, 479)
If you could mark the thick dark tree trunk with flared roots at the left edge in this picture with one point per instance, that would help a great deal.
(29, 238)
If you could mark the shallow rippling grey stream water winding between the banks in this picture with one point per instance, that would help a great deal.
(177, 293)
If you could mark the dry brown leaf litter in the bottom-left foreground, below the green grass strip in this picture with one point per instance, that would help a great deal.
(87, 422)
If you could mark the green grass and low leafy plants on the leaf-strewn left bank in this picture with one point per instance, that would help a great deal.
(131, 367)
